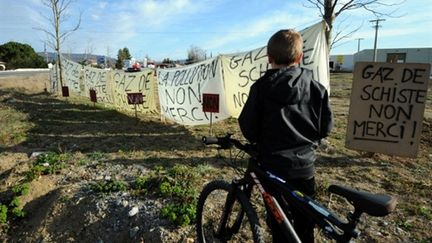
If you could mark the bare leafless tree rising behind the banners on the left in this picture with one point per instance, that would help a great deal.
(56, 36)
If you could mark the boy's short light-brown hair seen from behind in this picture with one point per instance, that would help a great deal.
(285, 46)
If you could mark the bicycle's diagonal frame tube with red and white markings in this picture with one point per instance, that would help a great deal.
(277, 212)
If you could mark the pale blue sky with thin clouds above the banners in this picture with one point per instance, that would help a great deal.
(161, 29)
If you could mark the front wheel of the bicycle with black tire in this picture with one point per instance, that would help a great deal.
(206, 228)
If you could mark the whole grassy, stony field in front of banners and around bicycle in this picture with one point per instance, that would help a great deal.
(110, 177)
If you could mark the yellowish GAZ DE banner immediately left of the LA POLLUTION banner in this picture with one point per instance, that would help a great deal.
(136, 82)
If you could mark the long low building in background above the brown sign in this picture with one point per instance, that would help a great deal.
(394, 55)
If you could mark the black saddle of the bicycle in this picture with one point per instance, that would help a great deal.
(372, 204)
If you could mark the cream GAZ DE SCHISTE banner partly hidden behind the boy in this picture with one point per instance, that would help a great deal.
(241, 70)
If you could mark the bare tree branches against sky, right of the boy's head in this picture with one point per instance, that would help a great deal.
(331, 9)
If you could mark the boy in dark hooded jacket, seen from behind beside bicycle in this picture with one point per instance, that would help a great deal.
(287, 113)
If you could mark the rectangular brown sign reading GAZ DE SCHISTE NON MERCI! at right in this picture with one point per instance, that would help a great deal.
(387, 107)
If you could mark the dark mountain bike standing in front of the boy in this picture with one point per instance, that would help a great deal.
(238, 220)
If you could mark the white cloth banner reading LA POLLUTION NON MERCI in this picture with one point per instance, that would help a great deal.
(181, 90)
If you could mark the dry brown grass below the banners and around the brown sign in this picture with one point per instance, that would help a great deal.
(41, 122)
